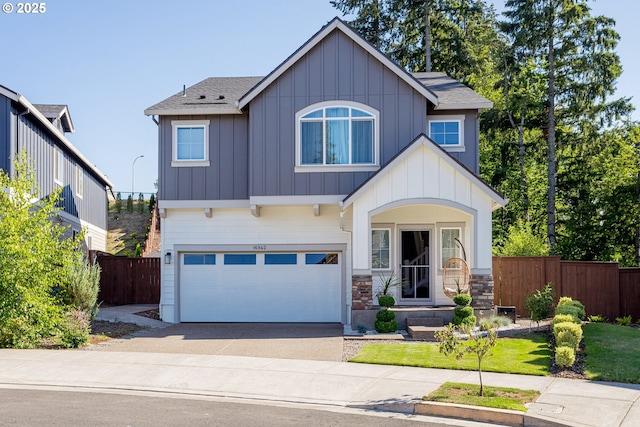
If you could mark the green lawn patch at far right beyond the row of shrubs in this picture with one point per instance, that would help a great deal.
(613, 352)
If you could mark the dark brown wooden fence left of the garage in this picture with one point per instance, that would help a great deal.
(125, 280)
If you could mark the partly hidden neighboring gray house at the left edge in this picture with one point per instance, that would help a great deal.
(40, 131)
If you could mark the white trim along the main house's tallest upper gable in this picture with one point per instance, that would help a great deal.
(337, 23)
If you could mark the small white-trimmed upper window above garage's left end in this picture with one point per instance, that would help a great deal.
(190, 143)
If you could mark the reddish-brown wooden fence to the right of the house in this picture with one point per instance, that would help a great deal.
(602, 287)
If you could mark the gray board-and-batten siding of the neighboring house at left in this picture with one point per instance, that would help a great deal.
(23, 132)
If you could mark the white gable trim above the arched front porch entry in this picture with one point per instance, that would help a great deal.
(423, 140)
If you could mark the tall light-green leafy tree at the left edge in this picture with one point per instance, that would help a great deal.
(35, 258)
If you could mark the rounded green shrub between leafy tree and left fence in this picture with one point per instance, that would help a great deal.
(81, 288)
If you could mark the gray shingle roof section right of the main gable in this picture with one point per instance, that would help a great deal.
(451, 93)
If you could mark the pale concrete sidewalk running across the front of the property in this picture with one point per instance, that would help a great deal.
(330, 384)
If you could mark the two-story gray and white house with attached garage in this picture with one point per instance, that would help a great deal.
(284, 198)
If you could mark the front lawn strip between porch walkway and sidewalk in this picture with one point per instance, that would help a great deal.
(529, 356)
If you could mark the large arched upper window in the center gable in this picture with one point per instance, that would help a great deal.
(337, 135)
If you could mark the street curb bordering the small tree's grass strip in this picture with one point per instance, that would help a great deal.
(485, 415)
